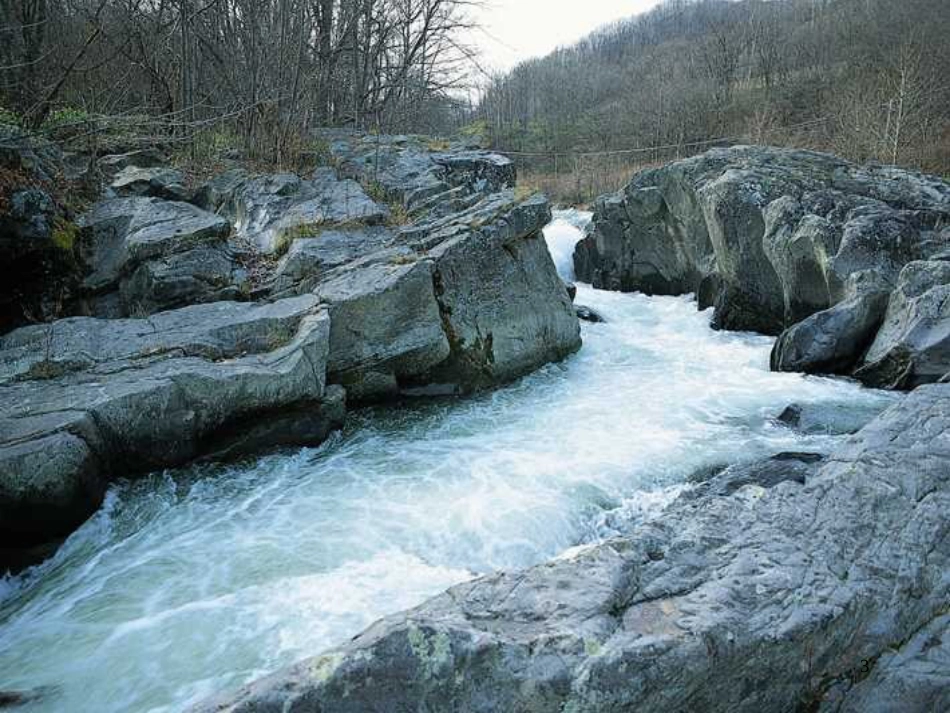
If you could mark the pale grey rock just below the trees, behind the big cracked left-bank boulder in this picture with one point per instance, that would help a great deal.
(272, 211)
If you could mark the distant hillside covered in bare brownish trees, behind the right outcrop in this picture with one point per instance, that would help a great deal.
(867, 79)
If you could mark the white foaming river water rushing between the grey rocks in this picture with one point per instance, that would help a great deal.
(192, 581)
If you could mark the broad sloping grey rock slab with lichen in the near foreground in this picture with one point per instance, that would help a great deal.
(768, 599)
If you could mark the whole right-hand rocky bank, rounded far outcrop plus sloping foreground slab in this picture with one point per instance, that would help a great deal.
(803, 582)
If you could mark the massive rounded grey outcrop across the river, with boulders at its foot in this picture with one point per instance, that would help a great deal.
(780, 240)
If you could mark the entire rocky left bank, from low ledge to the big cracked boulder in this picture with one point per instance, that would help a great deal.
(243, 314)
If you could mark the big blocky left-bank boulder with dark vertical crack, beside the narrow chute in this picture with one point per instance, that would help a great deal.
(450, 305)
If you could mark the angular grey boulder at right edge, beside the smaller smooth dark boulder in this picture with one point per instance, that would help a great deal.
(913, 345)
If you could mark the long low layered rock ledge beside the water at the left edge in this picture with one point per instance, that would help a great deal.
(88, 400)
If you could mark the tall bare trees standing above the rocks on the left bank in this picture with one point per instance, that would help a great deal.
(248, 75)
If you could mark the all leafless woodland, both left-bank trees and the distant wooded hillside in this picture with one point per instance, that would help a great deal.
(867, 79)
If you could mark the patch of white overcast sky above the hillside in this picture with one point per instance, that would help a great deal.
(514, 30)
